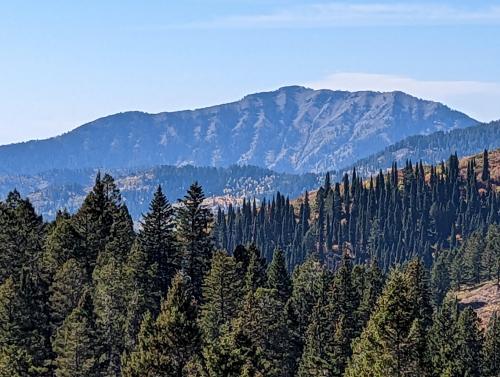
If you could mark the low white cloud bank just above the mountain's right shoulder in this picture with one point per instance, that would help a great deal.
(476, 98)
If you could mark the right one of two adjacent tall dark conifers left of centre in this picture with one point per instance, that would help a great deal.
(193, 235)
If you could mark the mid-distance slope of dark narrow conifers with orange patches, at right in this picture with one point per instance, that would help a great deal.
(392, 218)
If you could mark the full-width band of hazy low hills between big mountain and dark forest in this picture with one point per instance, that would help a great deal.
(65, 188)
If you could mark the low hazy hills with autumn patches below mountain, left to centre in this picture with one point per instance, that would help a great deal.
(56, 189)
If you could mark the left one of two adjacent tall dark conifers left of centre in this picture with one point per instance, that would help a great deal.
(157, 240)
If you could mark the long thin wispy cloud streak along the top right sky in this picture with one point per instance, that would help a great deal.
(344, 14)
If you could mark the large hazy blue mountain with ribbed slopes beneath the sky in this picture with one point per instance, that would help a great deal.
(293, 129)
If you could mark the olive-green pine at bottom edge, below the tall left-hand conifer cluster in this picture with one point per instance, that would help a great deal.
(76, 344)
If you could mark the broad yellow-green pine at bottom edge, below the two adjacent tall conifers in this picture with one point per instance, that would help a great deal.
(167, 346)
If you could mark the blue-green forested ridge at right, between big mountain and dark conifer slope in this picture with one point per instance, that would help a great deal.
(432, 148)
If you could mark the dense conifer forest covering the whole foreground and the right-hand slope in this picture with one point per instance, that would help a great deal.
(359, 282)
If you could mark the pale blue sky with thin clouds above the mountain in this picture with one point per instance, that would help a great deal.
(65, 63)
